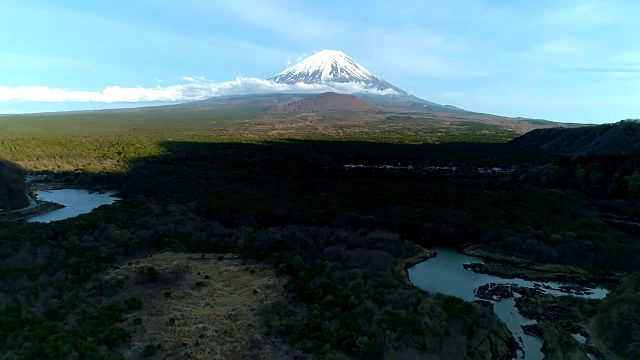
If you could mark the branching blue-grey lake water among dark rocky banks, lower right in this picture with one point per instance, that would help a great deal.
(445, 274)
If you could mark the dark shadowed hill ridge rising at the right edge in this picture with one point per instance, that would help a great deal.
(621, 137)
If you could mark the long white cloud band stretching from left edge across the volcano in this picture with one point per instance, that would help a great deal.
(194, 88)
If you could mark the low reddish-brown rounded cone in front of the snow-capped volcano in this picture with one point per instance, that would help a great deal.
(328, 101)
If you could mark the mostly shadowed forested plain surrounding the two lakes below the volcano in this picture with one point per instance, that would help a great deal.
(312, 228)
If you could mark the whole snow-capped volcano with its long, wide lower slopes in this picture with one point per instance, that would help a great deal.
(330, 82)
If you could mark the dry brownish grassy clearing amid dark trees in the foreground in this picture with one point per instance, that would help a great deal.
(203, 307)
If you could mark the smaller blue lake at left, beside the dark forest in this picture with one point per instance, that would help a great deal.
(76, 202)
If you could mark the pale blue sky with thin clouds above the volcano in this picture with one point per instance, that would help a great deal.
(574, 61)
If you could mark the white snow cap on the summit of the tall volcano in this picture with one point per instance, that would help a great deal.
(331, 66)
